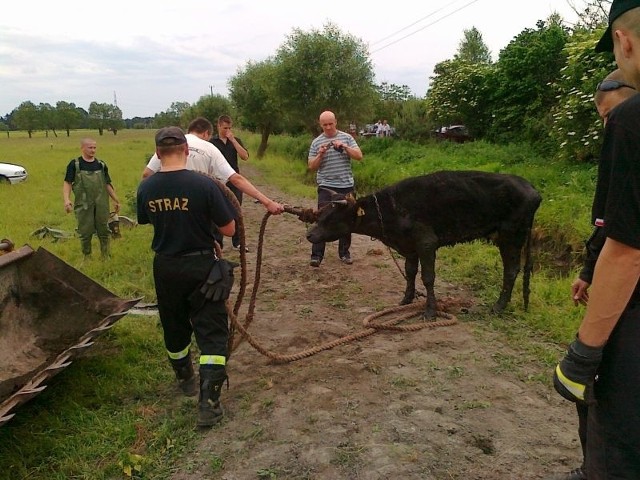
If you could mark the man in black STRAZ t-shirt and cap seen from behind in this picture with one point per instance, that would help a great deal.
(191, 283)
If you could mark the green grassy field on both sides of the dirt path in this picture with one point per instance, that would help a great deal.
(94, 435)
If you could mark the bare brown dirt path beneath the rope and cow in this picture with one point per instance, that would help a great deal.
(444, 403)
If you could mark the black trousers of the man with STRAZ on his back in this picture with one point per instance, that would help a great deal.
(182, 314)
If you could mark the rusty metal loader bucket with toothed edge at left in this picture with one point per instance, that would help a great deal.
(49, 314)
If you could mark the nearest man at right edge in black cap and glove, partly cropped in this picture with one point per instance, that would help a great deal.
(602, 366)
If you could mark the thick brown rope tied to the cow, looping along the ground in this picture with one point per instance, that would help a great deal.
(371, 327)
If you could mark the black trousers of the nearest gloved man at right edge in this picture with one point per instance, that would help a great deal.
(613, 425)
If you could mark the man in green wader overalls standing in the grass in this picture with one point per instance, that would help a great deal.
(90, 182)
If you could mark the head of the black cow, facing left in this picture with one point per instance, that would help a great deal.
(333, 220)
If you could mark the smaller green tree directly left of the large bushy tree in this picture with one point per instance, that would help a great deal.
(254, 92)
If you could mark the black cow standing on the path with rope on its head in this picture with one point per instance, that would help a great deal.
(418, 215)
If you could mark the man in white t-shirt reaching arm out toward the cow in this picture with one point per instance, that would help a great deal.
(205, 157)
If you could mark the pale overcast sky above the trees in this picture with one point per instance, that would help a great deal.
(147, 55)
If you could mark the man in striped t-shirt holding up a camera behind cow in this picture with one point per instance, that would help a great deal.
(330, 156)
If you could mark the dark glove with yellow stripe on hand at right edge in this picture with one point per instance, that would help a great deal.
(574, 376)
